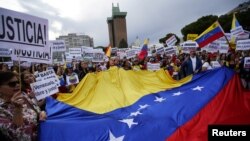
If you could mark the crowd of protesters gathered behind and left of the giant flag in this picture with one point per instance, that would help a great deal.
(20, 112)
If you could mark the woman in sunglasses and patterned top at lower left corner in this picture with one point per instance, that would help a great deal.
(17, 120)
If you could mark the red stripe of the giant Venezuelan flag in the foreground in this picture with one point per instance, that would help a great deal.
(230, 106)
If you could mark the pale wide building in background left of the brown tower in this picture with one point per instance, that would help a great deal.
(76, 40)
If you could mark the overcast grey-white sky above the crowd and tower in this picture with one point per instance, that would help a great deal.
(151, 19)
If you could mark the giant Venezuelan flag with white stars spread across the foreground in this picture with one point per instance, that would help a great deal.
(146, 106)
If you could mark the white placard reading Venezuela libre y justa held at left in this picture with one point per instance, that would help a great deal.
(44, 88)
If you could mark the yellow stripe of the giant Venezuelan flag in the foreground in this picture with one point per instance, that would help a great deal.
(115, 88)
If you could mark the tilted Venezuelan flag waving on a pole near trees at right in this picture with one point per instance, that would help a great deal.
(211, 34)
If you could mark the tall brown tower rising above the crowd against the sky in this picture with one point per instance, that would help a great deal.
(117, 28)
